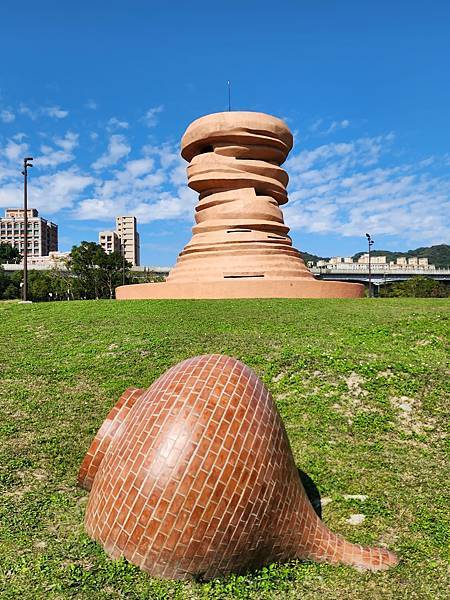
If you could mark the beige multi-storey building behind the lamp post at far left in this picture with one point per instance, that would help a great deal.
(42, 234)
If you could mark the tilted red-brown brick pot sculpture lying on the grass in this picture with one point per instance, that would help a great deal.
(195, 477)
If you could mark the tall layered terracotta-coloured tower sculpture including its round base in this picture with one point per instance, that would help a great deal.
(240, 246)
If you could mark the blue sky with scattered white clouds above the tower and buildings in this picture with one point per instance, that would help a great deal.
(101, 92)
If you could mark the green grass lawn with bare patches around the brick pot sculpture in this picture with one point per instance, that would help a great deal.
(361, 388)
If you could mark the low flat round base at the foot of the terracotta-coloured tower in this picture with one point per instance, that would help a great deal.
(240, 288)
